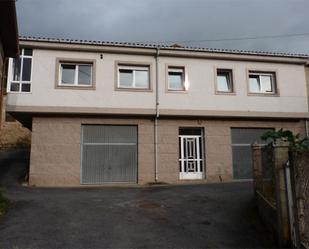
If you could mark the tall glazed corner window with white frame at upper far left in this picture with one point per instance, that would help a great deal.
(20, 72)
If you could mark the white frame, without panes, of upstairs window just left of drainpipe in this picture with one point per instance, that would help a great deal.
(134, 69)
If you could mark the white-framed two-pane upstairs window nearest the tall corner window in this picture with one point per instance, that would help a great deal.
(75, 74)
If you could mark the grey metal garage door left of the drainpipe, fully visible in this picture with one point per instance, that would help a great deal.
(109, 154)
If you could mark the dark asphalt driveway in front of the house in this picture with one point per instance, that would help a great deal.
(199, 216)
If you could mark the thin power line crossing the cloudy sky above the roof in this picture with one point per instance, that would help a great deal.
(237, 39)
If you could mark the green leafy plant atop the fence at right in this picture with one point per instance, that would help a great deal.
(294, 141)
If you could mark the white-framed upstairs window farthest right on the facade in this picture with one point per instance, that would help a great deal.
(262, 82)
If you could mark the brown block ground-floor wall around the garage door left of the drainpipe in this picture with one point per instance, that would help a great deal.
(55, 150)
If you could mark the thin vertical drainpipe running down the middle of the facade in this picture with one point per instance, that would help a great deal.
(157, 115)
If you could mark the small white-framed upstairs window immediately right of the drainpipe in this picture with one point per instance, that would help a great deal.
(176, 79)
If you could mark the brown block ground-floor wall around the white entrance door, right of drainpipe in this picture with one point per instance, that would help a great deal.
(218, 149)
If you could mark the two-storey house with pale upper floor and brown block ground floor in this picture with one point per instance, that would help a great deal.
(105, 112)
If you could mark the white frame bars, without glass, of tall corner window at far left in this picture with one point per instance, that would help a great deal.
(20, 81)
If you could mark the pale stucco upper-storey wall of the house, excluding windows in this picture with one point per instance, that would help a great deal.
(200, 95)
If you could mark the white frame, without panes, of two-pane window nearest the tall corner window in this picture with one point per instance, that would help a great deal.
(75, 83)
